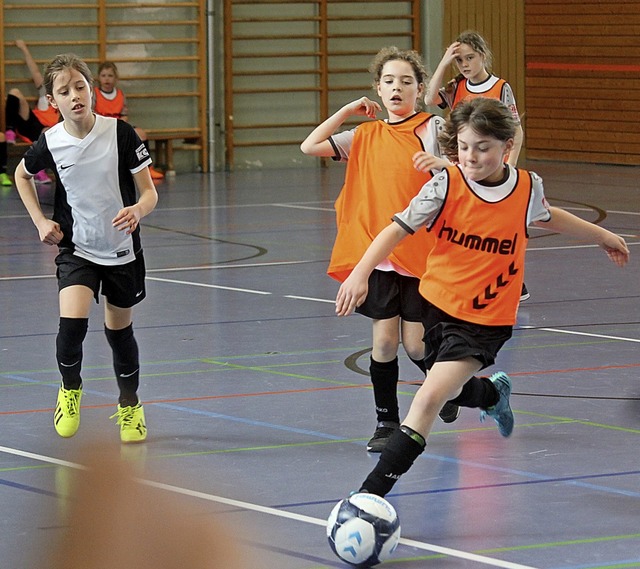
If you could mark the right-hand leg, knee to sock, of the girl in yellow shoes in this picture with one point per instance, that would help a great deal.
(119, 332)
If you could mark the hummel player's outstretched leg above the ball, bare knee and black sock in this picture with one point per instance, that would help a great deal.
(446, 380)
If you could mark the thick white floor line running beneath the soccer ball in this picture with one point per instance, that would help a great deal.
(275, 512)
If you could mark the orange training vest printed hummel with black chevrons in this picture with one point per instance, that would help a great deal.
(475, 269)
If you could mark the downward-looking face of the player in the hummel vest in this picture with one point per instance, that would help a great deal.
(481, 157)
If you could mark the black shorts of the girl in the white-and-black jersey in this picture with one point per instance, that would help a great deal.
(122, 285)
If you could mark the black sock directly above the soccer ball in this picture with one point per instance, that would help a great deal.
(402, 450)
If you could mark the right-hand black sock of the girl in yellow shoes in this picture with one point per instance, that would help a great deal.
(126, 363)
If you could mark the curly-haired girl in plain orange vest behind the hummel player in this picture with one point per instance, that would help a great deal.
(387, 163)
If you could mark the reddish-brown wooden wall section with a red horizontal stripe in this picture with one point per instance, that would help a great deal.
(583, 80)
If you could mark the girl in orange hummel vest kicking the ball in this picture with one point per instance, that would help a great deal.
(473, 274)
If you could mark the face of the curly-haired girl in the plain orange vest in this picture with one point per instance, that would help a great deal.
(399, 89)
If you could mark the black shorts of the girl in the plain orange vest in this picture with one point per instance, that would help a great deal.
(392, 294)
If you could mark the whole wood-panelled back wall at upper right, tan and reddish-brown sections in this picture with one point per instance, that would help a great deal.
(574, 66)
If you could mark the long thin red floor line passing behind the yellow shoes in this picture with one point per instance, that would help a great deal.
(314, 389)
